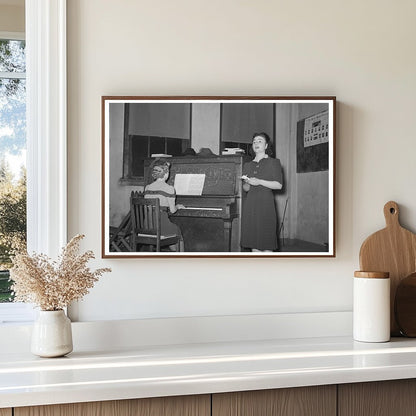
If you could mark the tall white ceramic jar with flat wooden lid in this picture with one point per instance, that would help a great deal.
(371, 306)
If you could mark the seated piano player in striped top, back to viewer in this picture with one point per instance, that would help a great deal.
(167, 197)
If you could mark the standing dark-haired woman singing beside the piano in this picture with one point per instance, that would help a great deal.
(261, 177)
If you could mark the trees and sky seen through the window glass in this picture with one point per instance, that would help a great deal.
(12, 147)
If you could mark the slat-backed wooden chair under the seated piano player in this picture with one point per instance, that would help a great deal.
(146, 224)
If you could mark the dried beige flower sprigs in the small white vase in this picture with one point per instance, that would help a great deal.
(52, 285)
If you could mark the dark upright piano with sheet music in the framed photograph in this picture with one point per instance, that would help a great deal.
(210, 222)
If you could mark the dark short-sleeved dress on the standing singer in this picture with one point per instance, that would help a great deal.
(259, 218)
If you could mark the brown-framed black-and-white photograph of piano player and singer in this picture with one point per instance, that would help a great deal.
(218, 176)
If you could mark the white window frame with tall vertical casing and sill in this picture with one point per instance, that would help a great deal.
(46, 134)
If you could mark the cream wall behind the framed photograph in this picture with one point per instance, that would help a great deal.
(362, 52)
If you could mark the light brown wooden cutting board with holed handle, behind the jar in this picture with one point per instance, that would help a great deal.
(393, 250)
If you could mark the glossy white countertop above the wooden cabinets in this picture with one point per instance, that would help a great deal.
(151, 371)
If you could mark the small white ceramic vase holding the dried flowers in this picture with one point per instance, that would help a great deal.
(52, 334)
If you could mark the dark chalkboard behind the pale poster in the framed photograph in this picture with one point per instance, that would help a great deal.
(312, 158)
